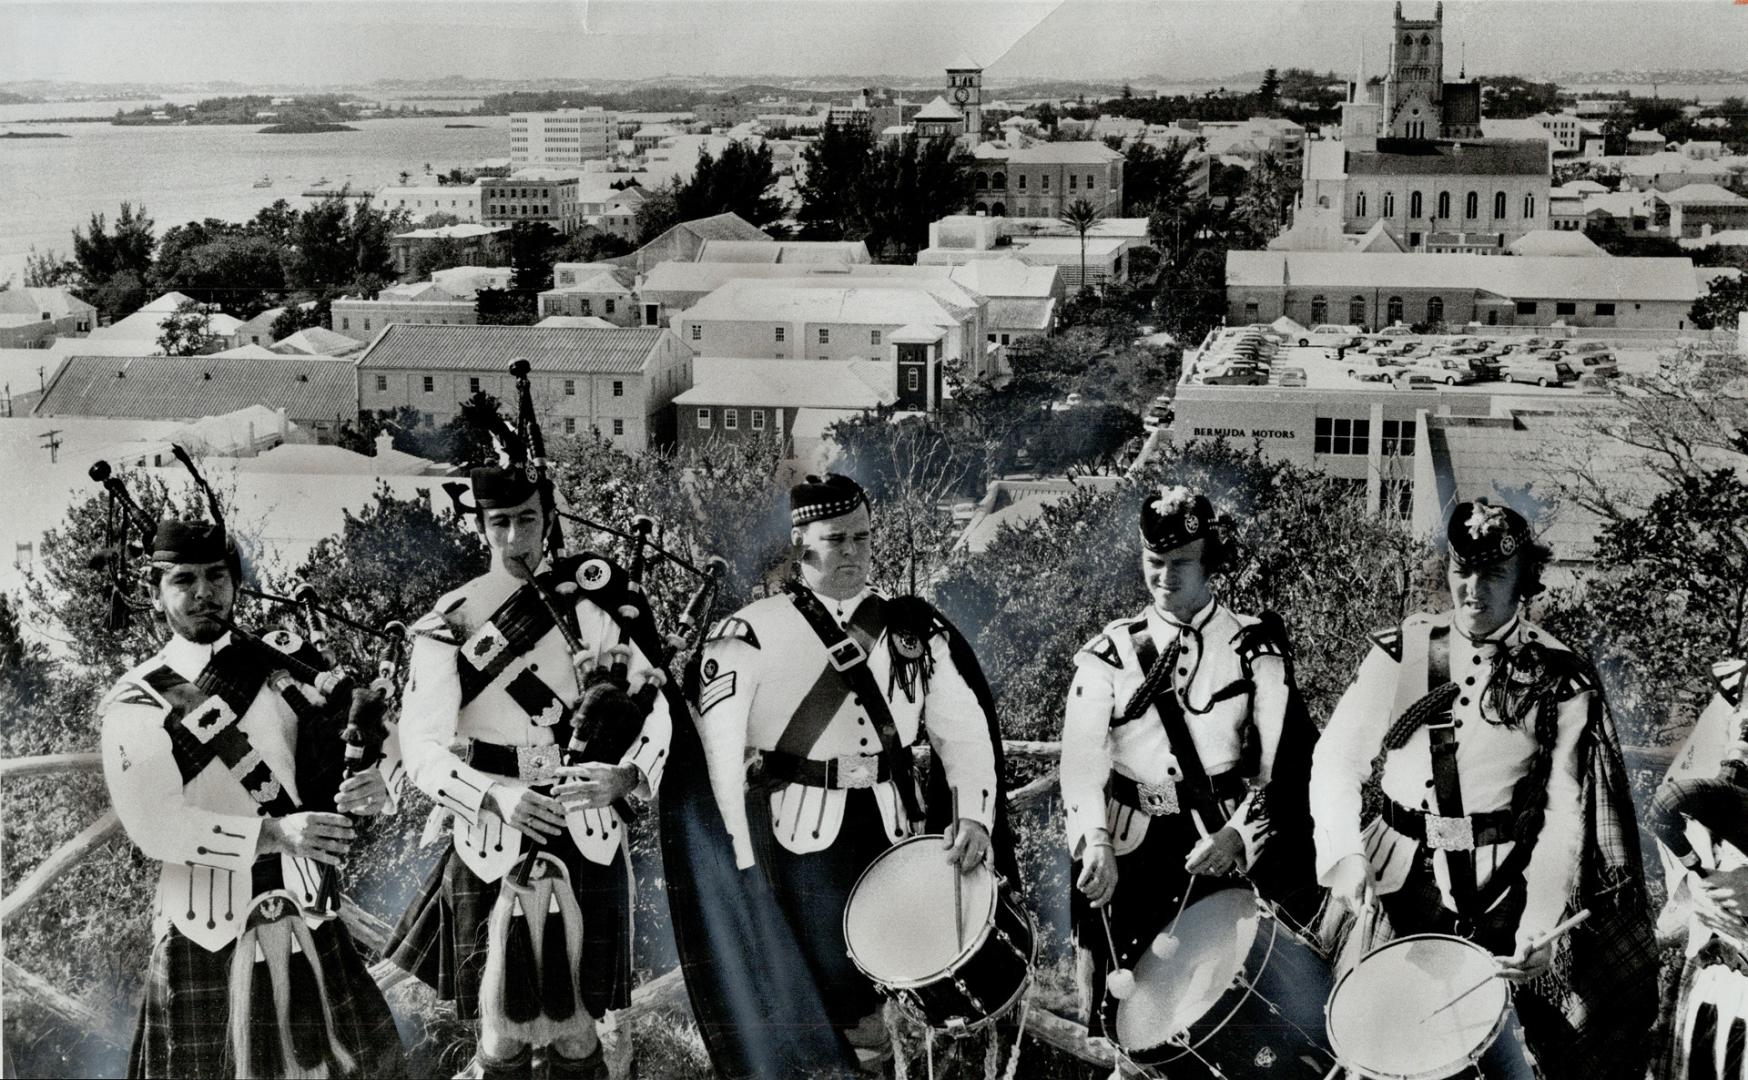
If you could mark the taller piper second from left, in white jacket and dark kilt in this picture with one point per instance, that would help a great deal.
(527, 922)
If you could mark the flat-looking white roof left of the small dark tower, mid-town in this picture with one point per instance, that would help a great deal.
(789, 384)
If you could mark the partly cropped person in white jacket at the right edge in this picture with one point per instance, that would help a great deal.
(1700, 817)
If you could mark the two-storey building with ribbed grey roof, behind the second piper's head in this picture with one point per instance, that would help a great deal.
(620, 384)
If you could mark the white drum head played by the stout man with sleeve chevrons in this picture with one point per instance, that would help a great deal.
(899, 922)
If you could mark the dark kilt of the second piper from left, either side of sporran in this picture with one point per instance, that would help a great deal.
(441, 939)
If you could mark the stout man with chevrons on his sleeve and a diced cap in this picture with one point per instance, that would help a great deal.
(808, 705)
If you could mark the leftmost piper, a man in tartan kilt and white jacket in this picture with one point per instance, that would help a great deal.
(214, 759)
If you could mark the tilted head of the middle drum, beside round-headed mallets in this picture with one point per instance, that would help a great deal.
(1216, 938)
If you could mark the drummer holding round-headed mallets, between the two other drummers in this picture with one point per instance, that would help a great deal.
(1176, 724)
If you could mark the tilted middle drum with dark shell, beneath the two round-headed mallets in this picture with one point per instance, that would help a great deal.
(1240, 992)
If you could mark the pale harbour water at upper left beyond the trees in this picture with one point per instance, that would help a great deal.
(48, 186)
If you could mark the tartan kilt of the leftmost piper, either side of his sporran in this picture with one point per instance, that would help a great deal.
(184, 1021)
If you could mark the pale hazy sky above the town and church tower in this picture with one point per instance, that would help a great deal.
(359, 41)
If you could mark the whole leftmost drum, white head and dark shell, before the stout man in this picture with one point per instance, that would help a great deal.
(905, 938)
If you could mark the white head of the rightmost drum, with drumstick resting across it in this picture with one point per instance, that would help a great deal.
(1380, 1014)
